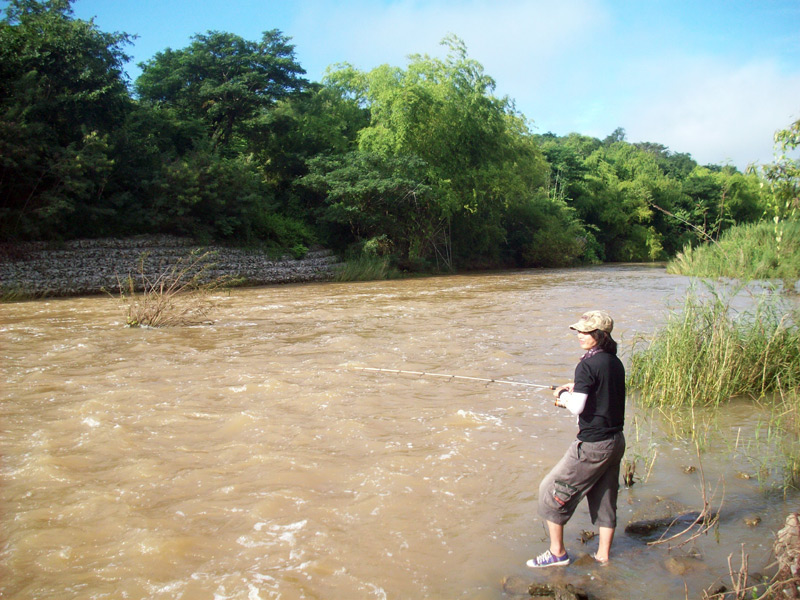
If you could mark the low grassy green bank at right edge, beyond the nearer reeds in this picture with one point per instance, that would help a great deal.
(759, 251)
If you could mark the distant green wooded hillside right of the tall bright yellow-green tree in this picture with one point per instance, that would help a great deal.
(644, 202)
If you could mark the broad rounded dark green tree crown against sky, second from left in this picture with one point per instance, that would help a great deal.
(224, 80)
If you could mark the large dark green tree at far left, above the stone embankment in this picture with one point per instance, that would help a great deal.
(62, 96)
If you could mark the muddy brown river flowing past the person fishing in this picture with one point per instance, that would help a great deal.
(251, 459)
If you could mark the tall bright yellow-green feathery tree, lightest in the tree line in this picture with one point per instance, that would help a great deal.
(476, 152)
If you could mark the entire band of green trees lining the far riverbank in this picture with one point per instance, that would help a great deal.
(226, 140)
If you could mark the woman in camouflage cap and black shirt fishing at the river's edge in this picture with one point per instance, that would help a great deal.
(591, 465)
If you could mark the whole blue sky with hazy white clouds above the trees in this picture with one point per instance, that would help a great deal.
(714, 78)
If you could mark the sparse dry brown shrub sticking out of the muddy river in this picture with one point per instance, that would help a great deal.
(180, 294)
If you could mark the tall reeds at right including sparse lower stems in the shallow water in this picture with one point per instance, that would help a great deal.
(709, 353)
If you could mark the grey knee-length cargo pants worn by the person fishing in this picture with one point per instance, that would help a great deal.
(588, 469)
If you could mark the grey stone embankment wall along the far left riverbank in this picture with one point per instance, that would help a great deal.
(94, 266)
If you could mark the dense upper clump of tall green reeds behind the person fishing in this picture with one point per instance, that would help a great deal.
(708, 353)
